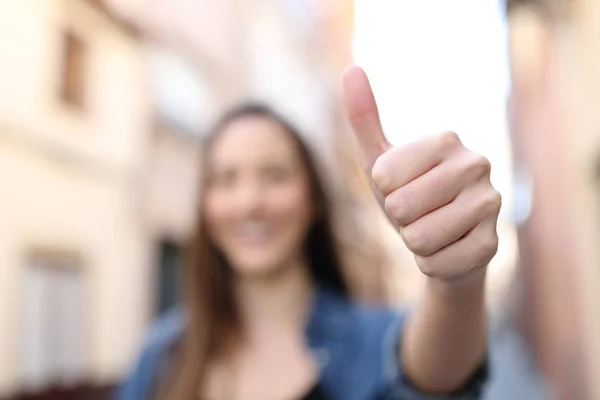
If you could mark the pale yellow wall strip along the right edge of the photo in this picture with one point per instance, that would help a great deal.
(580, 56)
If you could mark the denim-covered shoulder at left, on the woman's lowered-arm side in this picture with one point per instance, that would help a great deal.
(164, 333)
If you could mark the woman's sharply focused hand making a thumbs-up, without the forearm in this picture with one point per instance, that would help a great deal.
(437, 192)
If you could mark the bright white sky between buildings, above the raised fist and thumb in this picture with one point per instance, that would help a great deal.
(438, 65)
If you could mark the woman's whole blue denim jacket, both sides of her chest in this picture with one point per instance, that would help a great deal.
(356, 345)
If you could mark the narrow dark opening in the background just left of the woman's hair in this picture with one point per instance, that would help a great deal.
(169, 260)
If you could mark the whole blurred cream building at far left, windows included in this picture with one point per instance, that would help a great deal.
(74, 118)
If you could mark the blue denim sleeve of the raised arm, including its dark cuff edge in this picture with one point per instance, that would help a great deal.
(365, 360)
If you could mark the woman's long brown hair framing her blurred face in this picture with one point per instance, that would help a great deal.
(212, 315)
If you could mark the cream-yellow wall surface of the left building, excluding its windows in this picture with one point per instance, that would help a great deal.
(70, 178)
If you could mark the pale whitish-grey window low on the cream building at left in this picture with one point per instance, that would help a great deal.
(53, 326)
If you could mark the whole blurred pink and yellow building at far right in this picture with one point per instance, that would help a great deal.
(556, 90)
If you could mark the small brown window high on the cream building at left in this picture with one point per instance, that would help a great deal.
(73, 70)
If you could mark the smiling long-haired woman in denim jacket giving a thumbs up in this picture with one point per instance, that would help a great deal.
(268, 312)
